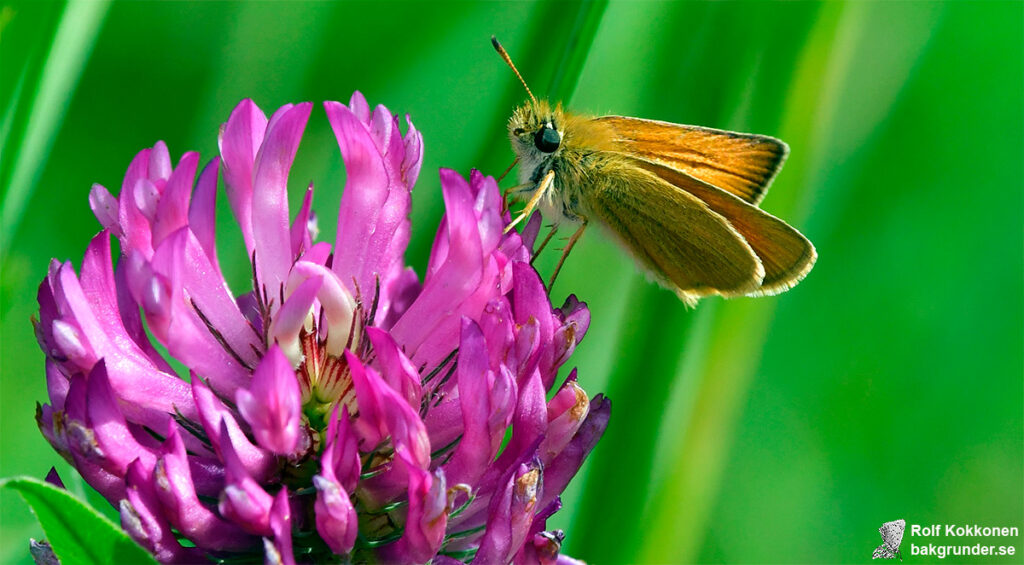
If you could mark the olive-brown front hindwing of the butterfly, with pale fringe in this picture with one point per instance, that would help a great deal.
(694, 250)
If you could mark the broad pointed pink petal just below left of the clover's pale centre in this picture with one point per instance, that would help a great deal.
(273, 404)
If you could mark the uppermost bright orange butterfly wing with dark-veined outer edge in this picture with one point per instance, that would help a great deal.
(741, 164)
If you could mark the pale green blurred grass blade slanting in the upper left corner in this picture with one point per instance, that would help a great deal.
(72, 45)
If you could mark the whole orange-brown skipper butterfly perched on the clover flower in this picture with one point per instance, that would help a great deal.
(682, 200)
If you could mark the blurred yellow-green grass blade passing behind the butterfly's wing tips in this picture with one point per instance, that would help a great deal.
(726, 367)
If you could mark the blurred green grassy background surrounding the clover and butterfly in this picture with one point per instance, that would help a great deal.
(887, 385)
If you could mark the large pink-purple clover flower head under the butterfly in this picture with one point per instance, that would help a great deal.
(339, 408)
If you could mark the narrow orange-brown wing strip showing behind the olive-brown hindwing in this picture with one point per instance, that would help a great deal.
(786, 254)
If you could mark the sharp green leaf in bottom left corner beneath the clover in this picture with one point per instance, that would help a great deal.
(76, 532)
